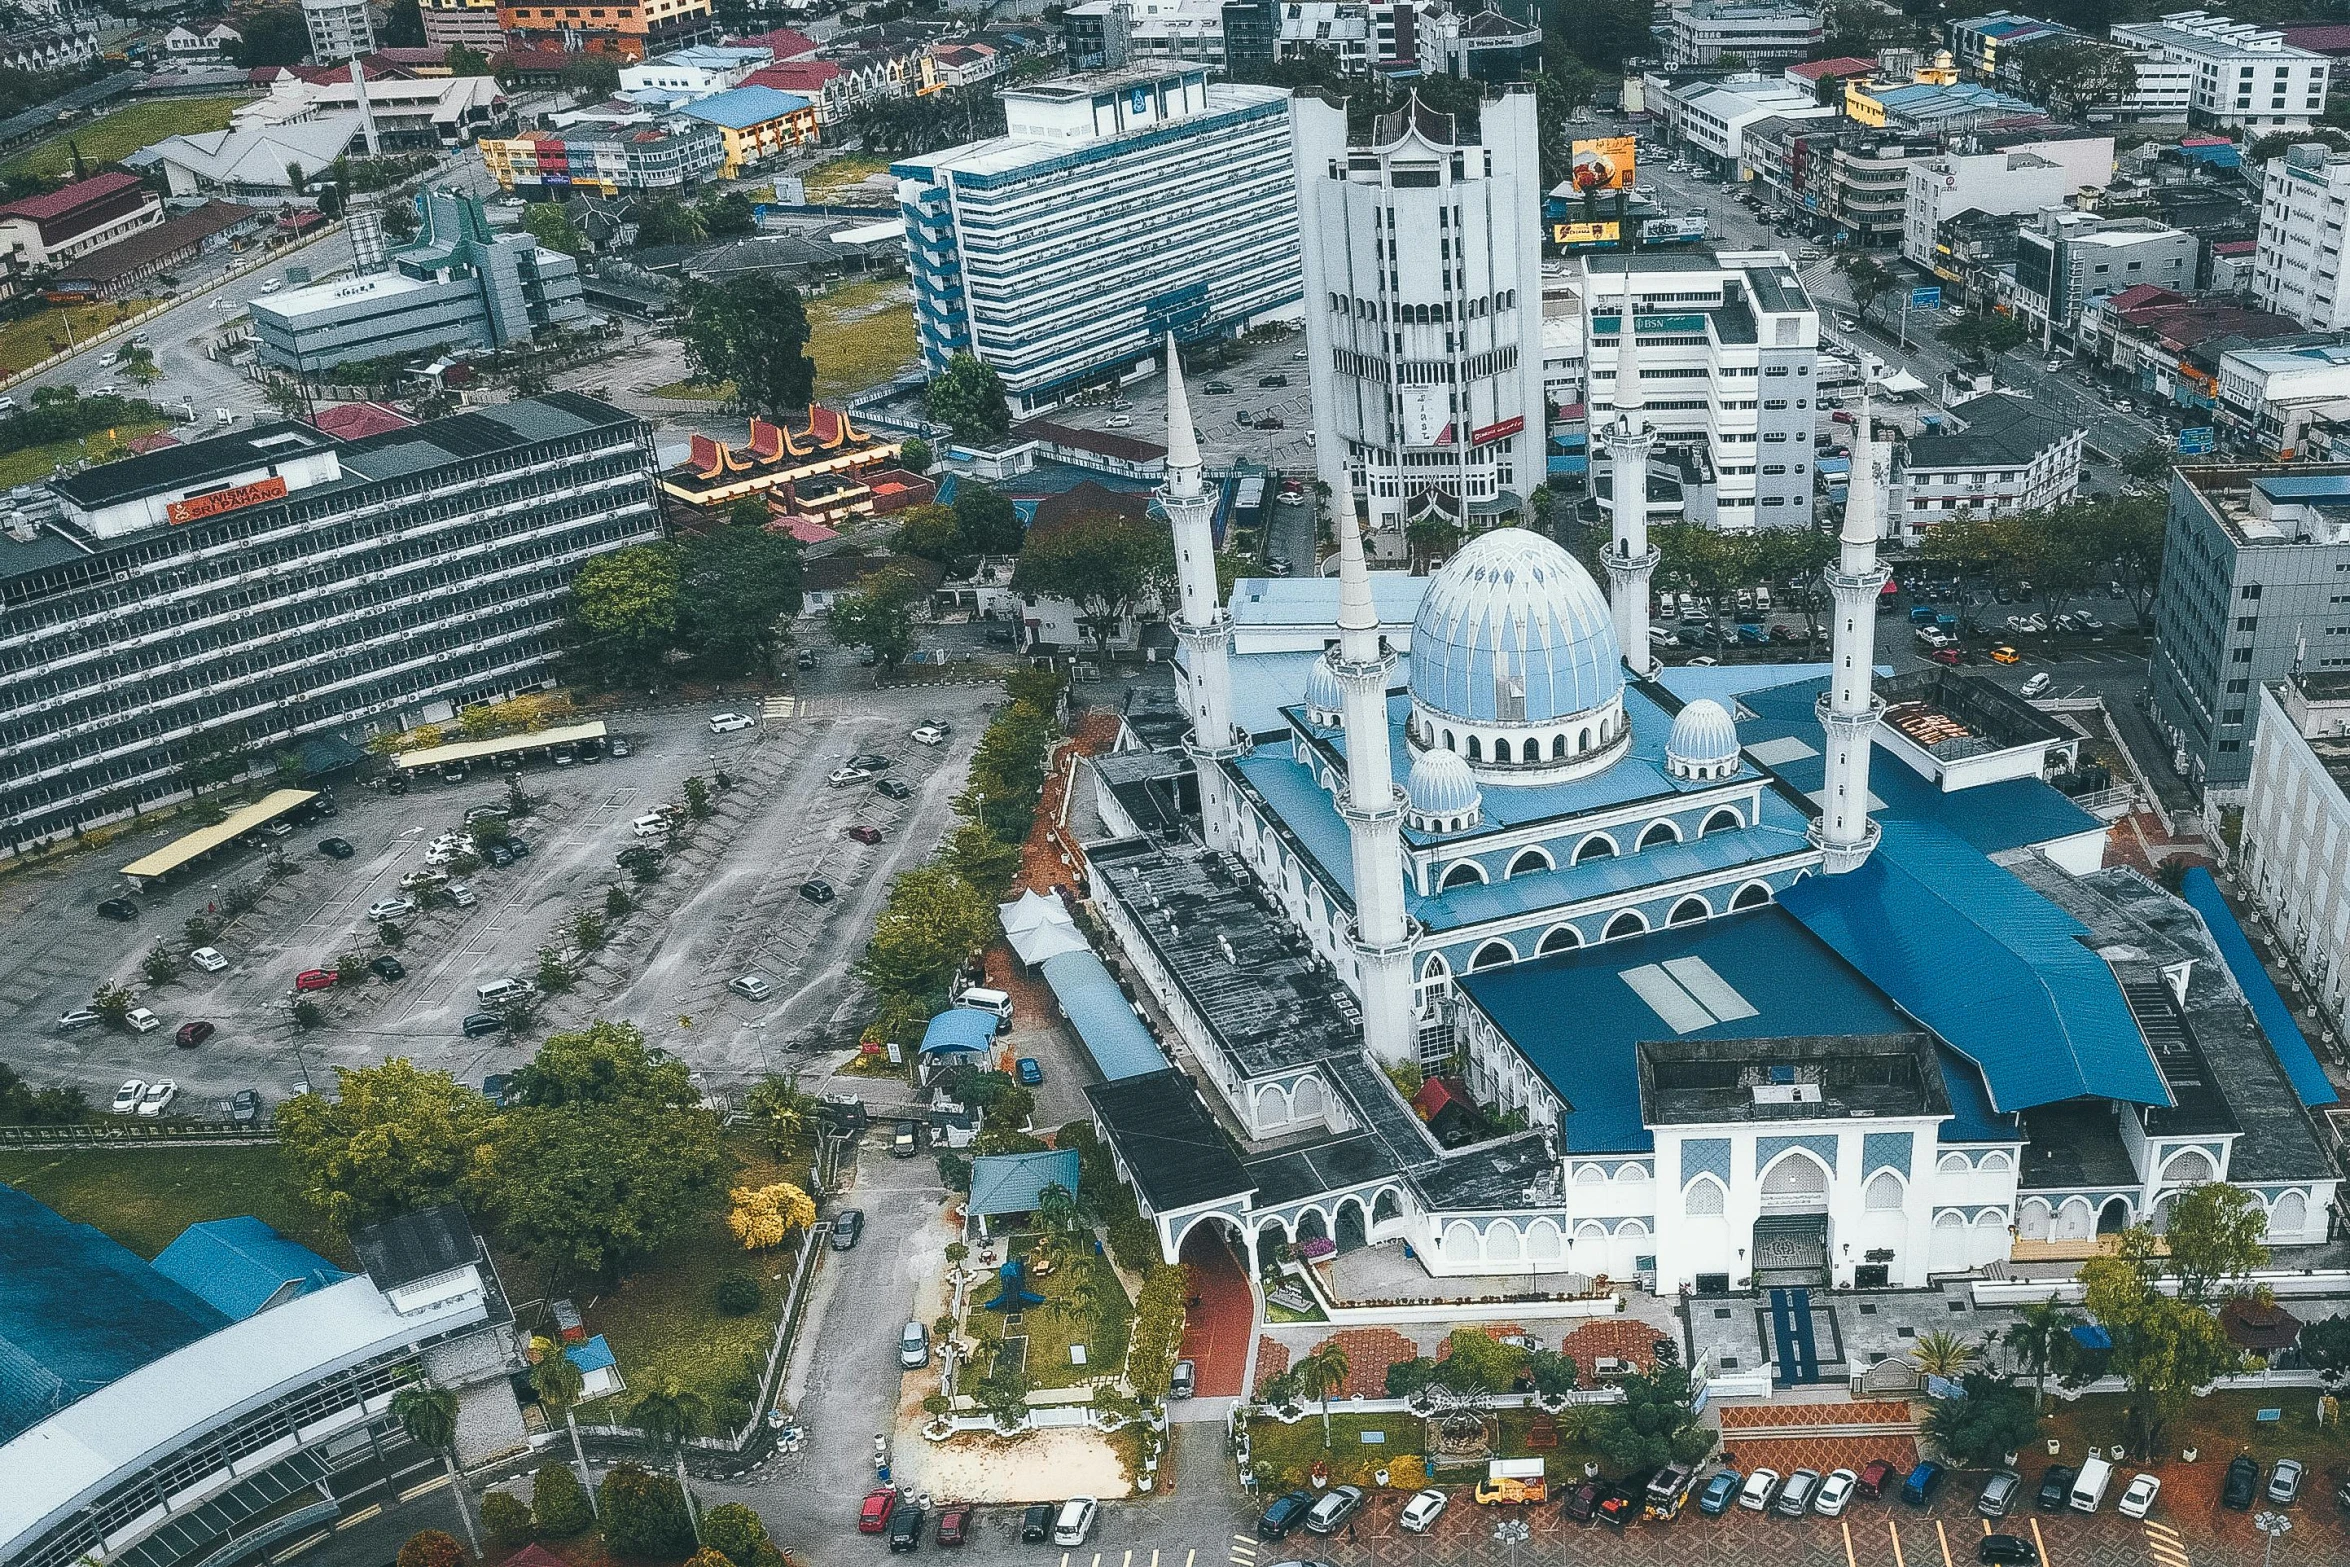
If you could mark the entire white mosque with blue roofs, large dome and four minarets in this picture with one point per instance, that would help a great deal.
(1479, 934)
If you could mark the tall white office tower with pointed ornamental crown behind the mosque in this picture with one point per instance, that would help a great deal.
(1423, 288)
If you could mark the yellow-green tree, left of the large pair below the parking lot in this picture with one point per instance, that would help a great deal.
(391, 1141)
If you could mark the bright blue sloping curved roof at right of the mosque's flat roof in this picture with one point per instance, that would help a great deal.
(1989, 964)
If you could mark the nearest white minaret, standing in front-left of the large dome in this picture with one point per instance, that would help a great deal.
(1374, 807)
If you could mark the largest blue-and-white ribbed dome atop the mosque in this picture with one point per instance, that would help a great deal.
(1515, 631)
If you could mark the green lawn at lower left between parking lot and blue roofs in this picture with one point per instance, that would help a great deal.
(147, 1197)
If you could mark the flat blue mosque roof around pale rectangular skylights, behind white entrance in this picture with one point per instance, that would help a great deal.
(1578, 1021)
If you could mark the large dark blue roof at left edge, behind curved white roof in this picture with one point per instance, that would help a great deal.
(79, 1312)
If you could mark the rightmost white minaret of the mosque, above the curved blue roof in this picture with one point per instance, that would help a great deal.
(1851, 708)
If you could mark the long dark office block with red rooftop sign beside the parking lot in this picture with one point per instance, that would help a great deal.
(281, 584)
